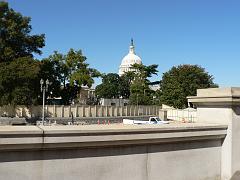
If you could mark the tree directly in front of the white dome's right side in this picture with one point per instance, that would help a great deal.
(140, 93)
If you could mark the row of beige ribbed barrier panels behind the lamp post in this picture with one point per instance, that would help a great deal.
(79, 111)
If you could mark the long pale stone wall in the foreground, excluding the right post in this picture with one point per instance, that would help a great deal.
(113, 152)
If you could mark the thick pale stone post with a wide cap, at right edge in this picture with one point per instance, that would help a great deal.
(222, 106)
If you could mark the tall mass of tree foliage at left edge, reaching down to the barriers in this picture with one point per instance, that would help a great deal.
(18, 70)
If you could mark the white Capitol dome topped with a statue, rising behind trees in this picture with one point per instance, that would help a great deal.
(130, 59)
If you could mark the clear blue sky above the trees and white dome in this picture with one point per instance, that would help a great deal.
(165, 32)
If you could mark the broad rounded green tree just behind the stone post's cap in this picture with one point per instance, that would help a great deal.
(182, 81)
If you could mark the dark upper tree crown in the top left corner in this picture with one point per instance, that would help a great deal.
(16, 39)
